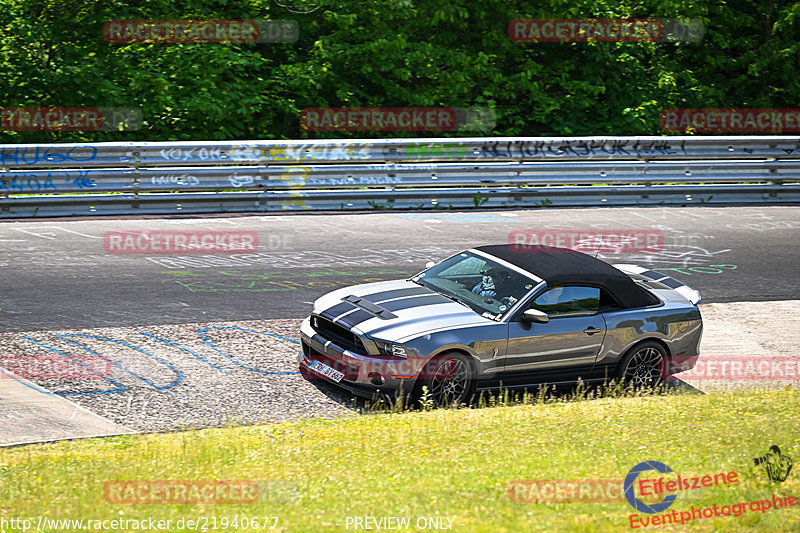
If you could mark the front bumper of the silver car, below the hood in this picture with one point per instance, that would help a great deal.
(367, 376)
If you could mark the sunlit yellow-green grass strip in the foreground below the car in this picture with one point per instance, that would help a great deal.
(313, 474)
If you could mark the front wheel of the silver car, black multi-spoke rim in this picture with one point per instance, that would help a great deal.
(449, 380)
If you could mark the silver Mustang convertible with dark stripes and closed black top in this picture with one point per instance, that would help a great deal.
(495, 316)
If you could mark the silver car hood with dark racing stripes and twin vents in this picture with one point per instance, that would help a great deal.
(394, 310)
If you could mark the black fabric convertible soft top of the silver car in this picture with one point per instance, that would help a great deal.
(561, 266)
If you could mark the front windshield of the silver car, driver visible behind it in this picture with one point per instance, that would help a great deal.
(488, 288)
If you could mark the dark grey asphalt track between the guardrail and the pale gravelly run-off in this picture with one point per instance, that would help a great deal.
(57, 274)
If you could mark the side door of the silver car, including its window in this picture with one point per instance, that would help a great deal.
(562, 349)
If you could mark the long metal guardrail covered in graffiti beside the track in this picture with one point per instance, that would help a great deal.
(203, 177)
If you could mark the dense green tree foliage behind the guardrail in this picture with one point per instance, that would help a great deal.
(391, 53)
